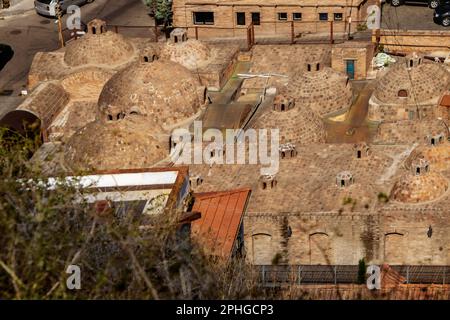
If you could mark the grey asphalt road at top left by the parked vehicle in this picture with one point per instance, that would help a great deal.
(30, 33)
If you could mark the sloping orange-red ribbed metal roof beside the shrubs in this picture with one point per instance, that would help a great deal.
(221, 217)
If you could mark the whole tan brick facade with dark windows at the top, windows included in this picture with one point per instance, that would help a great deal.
(231, 18)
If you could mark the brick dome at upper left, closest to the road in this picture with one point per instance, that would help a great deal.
(106, 48)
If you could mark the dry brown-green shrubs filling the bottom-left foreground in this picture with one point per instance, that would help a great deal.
(124, 256)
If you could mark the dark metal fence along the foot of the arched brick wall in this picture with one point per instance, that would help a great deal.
(345, 274)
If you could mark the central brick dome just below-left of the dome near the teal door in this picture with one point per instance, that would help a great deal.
(299, 125)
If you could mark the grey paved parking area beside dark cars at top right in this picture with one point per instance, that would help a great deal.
(410, 16)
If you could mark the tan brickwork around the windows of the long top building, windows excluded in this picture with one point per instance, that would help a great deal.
(225, 19)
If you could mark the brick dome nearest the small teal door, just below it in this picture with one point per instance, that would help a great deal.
(325, 91)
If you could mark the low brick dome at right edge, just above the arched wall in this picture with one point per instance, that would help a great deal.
(419, 188)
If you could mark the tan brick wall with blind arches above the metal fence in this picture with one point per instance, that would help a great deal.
(397, 236)
